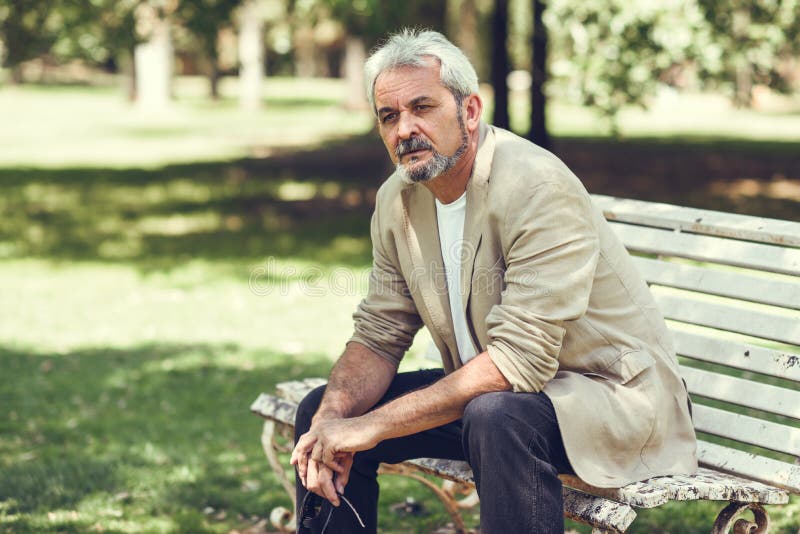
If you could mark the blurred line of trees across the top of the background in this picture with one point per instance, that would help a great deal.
(606, 54)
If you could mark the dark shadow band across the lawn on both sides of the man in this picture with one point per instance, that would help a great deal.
(314, 205)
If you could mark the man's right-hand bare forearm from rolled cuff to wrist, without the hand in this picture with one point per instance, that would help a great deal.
(438, 404)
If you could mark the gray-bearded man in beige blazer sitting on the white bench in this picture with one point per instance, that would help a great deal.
(555, 356)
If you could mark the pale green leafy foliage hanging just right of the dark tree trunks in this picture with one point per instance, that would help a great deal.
(614, 52)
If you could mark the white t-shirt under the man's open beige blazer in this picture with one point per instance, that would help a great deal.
(450, 219)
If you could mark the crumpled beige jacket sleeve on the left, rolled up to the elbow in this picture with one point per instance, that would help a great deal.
(386, 321)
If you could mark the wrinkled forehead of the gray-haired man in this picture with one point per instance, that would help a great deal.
(402, 84)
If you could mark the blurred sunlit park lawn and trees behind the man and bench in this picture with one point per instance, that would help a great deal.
(185, 193)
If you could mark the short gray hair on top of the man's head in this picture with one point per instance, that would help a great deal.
(411, 48)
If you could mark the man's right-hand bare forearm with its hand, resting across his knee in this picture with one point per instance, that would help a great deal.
(423, 409)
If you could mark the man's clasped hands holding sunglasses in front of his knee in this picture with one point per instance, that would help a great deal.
(324, 454)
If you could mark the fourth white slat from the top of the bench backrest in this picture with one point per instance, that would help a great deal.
(781, 328)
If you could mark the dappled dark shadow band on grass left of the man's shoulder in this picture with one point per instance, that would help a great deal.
(288, 206)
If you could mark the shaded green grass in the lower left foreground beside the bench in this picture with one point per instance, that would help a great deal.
(154, 434)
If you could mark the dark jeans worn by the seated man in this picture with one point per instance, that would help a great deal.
(511, 441)
